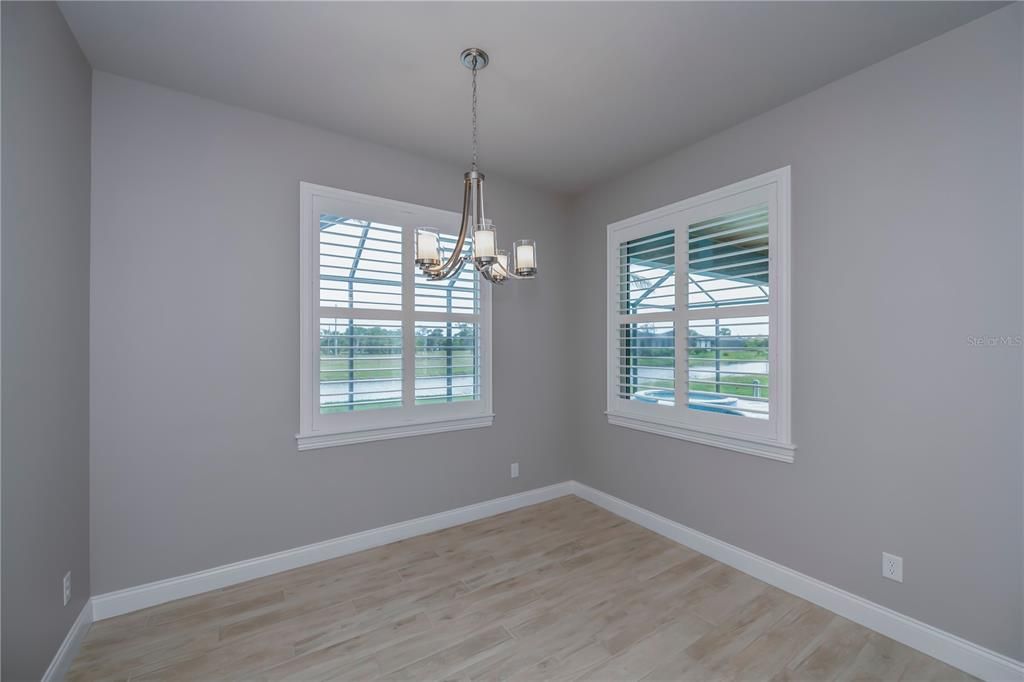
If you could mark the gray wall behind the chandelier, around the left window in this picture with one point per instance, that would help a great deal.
(196, 333)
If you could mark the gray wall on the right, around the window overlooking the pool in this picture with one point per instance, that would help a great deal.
(907, 238)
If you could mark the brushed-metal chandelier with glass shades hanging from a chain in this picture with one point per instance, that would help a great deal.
(492, 263)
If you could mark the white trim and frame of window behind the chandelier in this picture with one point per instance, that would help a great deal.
(397, 422)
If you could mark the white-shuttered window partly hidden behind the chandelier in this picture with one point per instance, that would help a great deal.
(386, 353)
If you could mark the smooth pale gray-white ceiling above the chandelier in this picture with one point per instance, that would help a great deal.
(576, 93)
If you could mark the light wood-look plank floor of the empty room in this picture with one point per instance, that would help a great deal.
(563, 590)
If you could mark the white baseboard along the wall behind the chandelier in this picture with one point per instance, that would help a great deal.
(133, 600)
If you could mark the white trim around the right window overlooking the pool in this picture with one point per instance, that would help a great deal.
(672, 422)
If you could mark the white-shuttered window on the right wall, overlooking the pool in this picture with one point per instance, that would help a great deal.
(721, 336)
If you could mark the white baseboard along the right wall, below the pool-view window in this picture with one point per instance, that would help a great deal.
(950, 649)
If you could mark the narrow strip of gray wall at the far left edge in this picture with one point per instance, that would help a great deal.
(46, 389)
